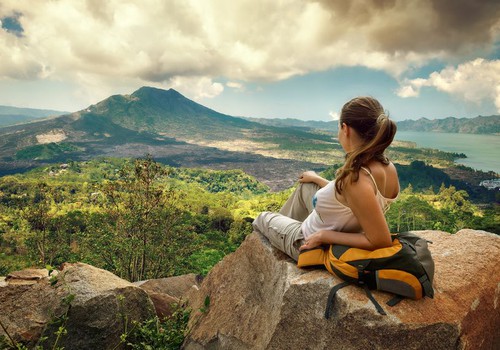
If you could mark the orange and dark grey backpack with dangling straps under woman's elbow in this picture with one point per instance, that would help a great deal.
(405, 269)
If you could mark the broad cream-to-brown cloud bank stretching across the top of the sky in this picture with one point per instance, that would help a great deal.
(191, 42)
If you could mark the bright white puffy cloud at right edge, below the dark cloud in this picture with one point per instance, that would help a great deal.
(474, 81)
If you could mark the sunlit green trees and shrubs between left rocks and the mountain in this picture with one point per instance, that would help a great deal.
(138, 219)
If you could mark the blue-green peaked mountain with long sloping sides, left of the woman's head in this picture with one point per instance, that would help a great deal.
(170, 127)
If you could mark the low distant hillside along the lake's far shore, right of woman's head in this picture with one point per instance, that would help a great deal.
(478, 125)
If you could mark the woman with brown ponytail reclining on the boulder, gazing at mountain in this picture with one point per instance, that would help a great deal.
(349, 210)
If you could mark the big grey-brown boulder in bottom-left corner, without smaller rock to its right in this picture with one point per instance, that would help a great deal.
(99, 302)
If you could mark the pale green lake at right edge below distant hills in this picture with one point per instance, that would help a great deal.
(483, 151)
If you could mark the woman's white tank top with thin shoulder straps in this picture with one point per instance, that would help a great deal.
(330, 214)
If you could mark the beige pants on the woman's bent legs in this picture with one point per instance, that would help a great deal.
(283, 229)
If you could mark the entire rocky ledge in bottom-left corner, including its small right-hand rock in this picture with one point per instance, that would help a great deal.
(95, 306)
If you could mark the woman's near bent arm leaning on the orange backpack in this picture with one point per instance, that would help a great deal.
(363, 203)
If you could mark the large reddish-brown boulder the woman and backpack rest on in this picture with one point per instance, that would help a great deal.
(259, 299)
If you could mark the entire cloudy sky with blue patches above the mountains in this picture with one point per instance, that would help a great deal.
(259, 58)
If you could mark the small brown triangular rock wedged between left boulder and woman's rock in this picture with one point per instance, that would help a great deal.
(168, 292)
